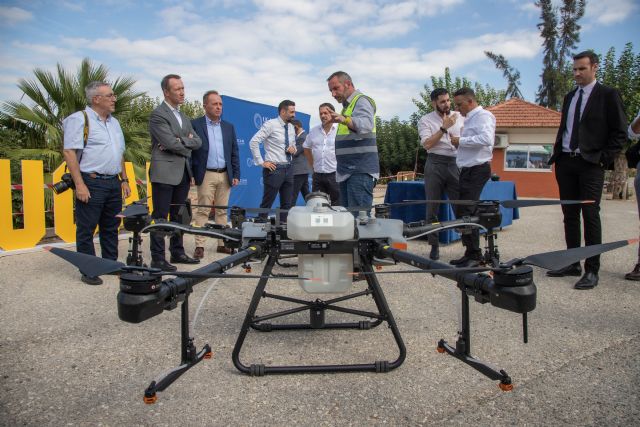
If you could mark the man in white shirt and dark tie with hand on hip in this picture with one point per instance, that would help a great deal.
(279, 139)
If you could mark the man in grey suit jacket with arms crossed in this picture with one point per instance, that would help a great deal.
(172, 140)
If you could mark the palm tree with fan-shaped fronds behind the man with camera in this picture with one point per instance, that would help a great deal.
(52, 97)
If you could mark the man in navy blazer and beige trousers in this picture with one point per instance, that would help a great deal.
(216, 166)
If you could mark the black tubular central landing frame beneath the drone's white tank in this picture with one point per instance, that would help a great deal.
(317, 311)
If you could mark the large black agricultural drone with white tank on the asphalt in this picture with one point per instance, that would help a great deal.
(330, 244)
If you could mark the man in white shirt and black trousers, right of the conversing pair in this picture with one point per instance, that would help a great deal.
(475, 151)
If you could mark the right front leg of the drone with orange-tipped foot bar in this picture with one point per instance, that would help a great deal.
(462, 350)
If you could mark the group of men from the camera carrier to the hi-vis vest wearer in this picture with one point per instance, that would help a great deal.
(341, 152)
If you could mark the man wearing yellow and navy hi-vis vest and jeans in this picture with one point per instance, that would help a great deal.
(358, 166)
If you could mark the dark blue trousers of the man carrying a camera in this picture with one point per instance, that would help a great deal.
(101, 210)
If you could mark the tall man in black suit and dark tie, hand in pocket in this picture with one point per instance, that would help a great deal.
(591, 134)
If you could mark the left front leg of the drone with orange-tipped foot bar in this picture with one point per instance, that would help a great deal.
(189, 357)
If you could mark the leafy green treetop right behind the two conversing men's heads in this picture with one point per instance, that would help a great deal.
(486, 95)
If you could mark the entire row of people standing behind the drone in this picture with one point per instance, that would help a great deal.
(341, 153)
